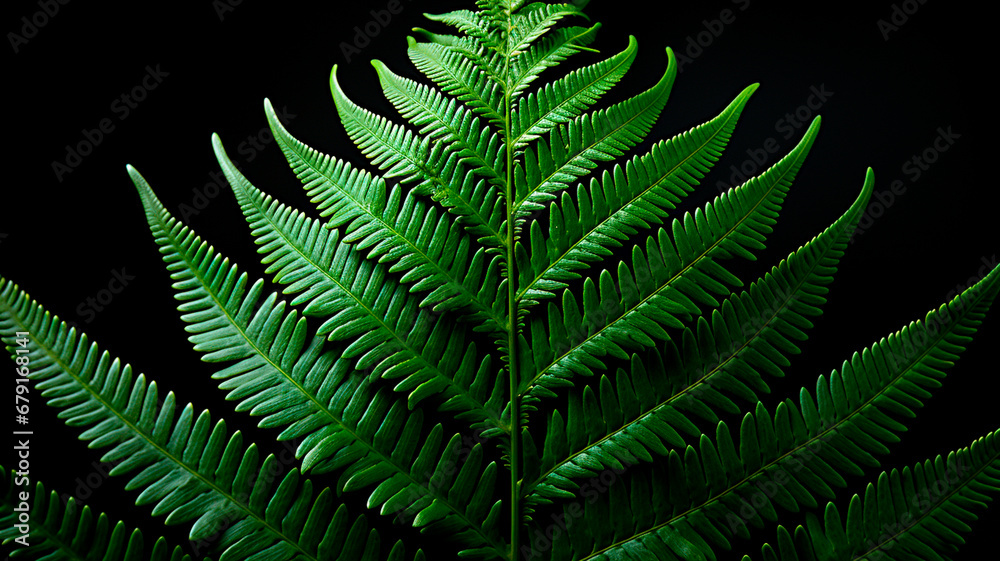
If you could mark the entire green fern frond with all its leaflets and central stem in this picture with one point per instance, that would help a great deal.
(504, 309)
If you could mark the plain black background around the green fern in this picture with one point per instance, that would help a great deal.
(65, 238)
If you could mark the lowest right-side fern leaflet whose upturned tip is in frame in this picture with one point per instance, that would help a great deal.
(647, 411)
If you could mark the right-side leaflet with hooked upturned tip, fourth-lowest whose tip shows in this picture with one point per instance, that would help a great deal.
(573, 150)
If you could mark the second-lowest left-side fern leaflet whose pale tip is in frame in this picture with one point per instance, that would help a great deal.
(387, 332)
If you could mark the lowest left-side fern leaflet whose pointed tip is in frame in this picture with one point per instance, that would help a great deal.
(344, 423)
